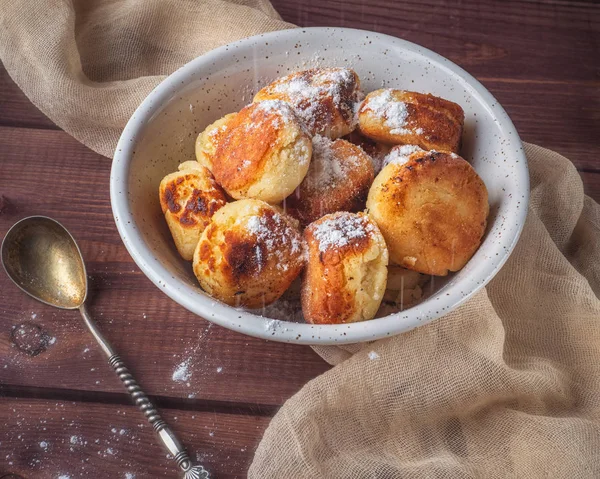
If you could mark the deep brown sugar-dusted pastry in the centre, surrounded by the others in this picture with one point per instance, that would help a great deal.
(338, 179)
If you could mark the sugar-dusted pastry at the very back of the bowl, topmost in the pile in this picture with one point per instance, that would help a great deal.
(323, 98)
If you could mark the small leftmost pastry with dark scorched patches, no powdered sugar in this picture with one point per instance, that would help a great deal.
(189, 198)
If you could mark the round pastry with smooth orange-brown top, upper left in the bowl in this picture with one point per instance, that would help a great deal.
(264, 153)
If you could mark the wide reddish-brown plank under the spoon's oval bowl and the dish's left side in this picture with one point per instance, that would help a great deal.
(52, 174)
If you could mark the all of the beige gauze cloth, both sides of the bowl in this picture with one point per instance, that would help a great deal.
(508, 385)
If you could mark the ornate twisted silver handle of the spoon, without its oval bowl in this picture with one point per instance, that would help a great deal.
(164, 432)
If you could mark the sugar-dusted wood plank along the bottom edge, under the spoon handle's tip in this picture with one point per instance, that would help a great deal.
(41, 439)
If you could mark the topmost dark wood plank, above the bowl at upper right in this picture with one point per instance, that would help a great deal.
(512, 39)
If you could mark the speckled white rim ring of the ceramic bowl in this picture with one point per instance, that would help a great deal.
(245, 322)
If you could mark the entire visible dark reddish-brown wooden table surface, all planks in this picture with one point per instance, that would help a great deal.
(63, 414)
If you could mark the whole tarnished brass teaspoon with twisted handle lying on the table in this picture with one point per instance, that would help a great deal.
(42, 258)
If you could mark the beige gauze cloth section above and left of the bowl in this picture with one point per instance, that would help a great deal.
(88, 64)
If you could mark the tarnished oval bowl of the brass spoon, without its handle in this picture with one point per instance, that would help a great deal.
(43, 259)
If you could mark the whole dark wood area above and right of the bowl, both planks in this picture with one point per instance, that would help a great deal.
(538, 58)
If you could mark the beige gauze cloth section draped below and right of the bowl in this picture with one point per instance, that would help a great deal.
(508, 385)
